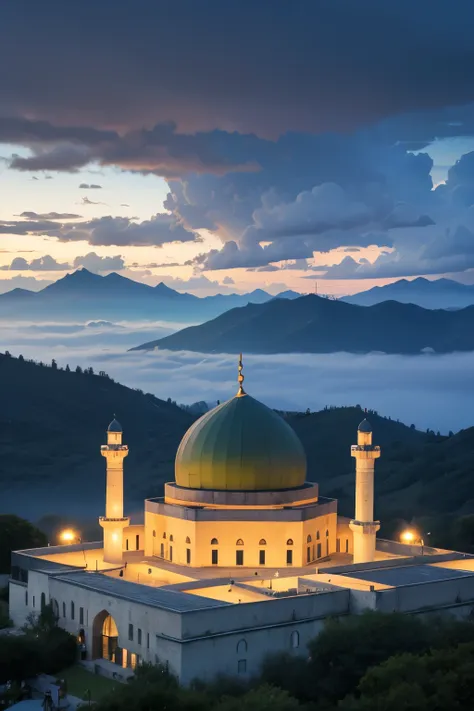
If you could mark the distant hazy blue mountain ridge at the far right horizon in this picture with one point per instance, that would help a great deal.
(431, 294)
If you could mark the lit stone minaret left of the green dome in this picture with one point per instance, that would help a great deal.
(114, 521)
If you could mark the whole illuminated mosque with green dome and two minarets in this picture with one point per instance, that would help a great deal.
(241, 557)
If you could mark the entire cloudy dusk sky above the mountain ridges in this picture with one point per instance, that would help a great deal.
(224, 146)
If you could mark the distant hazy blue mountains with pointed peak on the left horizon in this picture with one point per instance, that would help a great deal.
(85, 295)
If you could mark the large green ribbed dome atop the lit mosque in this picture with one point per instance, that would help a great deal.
(241, 445)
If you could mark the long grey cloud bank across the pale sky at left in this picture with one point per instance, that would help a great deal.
(106, 231)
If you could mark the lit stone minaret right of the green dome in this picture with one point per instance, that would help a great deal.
(363, 525)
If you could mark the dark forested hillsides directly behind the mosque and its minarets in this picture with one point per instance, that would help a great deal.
(53, 422)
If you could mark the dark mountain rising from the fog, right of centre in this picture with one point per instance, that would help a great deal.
(313, 324)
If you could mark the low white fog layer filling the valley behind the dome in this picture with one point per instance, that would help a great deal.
(428, 391)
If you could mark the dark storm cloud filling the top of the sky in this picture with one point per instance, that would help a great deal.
(238, 64)
